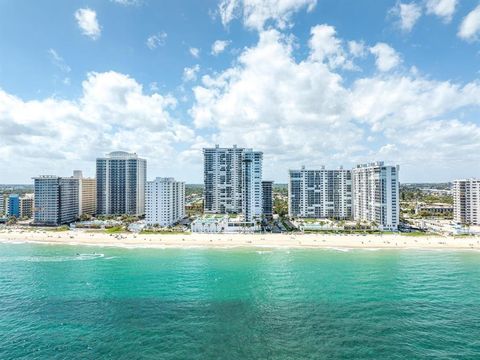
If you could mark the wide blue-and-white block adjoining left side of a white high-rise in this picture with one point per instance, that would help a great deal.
(320, 193)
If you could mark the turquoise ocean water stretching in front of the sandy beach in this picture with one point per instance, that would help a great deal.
(237, 304)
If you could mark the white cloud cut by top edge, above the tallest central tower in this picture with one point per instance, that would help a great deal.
(256, 13)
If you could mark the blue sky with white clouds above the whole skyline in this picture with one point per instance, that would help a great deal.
(308, 82)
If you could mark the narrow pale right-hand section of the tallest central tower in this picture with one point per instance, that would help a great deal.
(252, 184)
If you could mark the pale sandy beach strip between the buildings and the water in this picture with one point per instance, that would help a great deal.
(131, 240)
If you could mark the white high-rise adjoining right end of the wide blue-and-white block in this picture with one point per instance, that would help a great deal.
(375, 189)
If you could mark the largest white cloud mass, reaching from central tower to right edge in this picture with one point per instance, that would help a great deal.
(301, 111)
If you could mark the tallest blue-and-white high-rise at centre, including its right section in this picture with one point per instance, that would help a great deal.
(232, 178)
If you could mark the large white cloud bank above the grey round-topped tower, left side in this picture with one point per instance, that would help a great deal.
(112, 113)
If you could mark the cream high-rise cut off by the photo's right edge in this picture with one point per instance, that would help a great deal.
(466, 201)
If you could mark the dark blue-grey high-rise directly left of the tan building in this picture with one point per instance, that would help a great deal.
(55, 200)
